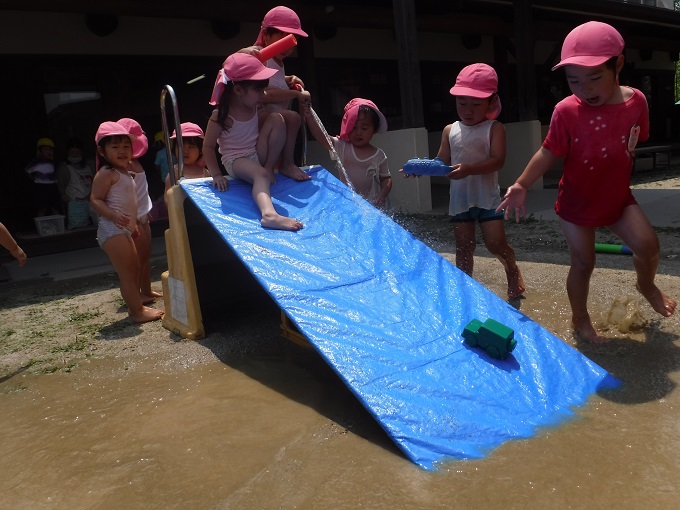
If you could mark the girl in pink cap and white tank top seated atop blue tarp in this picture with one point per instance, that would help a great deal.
(250, 143)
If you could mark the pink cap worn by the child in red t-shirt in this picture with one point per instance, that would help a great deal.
(590, 45)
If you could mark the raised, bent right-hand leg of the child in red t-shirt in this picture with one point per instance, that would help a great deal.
(638, 234)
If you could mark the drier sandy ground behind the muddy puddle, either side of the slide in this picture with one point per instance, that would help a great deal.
(57, 325)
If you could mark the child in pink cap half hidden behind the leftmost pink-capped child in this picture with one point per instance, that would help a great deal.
(140, 145)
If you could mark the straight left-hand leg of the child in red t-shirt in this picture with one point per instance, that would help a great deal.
(581, 242)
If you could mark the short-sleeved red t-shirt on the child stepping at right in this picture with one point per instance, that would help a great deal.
(593, 140)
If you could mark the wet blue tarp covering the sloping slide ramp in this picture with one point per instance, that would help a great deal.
(387, 312)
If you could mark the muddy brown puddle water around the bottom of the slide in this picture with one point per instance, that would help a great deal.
(275, 429)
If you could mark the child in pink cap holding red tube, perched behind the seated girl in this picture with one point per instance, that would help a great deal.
(277, 24)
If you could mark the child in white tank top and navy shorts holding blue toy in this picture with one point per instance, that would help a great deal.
(475, 147)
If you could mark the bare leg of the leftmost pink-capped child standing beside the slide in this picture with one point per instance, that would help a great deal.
(121, 250)
